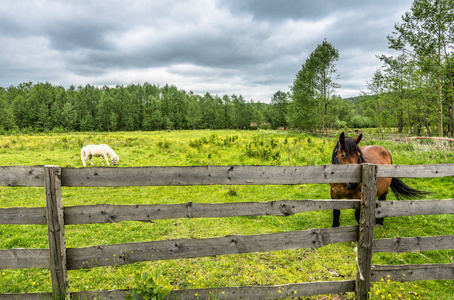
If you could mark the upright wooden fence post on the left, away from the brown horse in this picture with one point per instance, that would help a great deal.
(56, 232)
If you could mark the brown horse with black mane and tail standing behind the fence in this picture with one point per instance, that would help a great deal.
(347, 151)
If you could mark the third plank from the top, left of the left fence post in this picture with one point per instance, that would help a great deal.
(24, 258)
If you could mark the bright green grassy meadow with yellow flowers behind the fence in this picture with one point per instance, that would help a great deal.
(224, 147)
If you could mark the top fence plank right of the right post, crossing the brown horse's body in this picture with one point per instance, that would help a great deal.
(416, 171)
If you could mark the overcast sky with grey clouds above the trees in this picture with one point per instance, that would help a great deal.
(248, 47)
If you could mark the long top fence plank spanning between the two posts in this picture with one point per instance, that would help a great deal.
(209, 175)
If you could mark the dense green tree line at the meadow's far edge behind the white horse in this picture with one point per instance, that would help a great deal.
(45, 107)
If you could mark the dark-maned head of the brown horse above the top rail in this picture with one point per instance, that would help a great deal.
(347, 151)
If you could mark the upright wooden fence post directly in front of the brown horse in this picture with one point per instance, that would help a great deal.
(366, 230)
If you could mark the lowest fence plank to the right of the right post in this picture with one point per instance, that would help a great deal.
(413, 272)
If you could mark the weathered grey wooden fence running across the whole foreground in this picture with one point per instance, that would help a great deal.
(59, 259)
